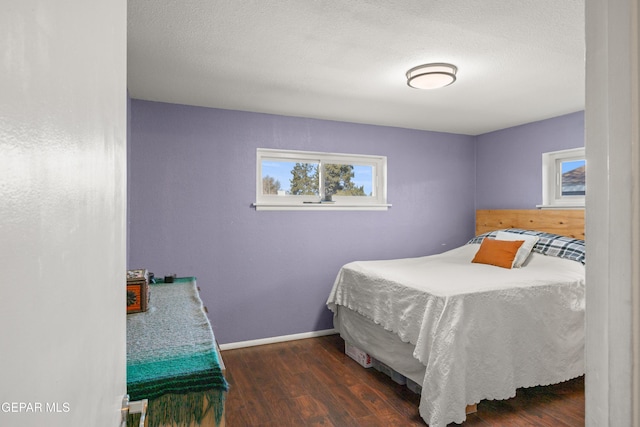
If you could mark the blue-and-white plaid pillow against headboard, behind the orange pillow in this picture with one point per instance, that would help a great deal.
(549, 244)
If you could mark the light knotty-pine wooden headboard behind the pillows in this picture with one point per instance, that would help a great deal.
(565, 222)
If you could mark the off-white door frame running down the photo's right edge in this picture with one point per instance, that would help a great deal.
(613, 213)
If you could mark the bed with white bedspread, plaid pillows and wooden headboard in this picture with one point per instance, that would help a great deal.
(467, 331)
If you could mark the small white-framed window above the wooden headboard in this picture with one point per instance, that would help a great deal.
(563, 178)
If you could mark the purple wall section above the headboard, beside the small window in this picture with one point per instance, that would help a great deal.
(509, 161)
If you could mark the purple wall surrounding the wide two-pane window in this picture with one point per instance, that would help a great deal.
(265, 274)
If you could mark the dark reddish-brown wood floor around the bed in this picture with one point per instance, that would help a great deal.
(312, 382)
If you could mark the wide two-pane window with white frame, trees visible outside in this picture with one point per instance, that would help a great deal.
(303, 180)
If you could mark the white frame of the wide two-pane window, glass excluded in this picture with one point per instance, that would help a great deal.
(378, 201)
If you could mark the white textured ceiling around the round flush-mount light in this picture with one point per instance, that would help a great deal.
(518, 61)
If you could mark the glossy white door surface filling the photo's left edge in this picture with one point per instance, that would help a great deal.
(62, 212)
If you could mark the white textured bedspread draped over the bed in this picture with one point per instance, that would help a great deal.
(481, 331)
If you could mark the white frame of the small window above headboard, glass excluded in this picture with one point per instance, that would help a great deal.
(552, 179)
